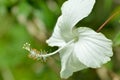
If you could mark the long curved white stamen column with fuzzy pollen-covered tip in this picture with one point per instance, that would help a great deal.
(38, 55)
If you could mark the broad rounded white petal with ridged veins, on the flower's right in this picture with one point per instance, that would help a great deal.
(93, 49)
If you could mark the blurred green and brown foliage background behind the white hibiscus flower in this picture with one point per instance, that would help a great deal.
(33, 21)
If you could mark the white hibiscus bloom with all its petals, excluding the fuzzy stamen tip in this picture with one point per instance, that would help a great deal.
(82, 47)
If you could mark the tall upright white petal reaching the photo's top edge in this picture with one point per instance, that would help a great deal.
(72, 12)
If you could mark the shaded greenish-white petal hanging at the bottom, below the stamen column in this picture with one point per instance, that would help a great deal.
(70, 63)
